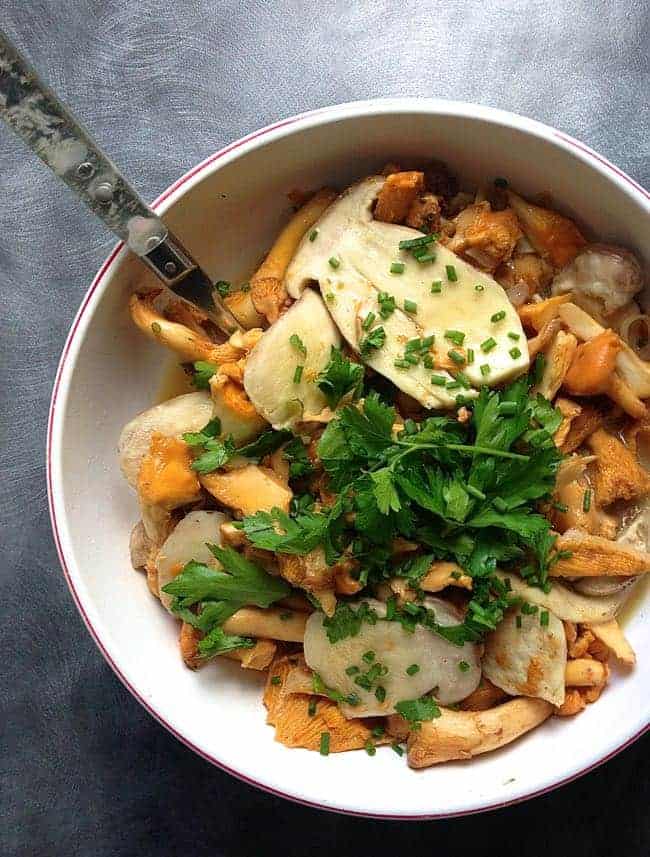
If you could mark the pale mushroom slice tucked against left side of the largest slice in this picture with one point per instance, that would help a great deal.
(269, 376)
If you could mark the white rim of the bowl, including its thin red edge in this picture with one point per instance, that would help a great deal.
(100, 282)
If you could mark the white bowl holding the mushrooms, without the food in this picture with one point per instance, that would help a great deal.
(227, 210)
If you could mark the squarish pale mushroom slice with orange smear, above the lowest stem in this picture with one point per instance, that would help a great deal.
(527, 659)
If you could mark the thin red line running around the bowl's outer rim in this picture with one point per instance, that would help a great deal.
(587, 154)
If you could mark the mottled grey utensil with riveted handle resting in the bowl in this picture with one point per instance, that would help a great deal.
(37, 115)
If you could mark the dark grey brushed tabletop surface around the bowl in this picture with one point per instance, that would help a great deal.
(84, 770)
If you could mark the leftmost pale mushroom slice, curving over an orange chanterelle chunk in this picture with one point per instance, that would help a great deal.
(186, 413)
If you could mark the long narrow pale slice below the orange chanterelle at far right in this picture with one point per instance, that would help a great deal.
(566, 604)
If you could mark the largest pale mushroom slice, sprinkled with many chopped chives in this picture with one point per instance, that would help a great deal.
(363, 250)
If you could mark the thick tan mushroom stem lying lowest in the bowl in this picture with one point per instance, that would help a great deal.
(464, 734)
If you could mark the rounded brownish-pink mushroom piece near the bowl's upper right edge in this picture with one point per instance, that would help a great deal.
(607, 276)
